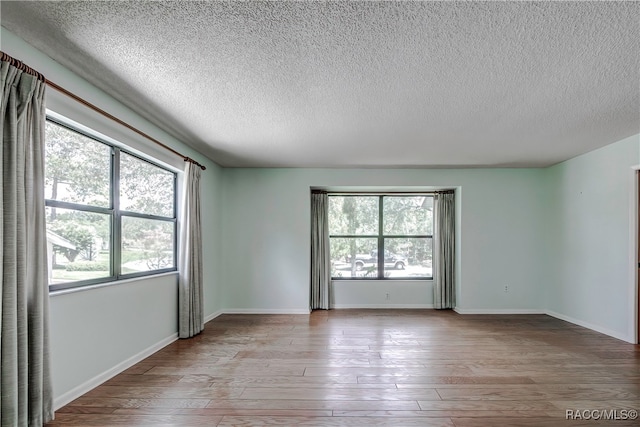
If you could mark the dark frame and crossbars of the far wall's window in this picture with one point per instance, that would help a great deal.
(381, 236)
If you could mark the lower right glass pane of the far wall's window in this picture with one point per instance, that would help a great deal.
(411, 257)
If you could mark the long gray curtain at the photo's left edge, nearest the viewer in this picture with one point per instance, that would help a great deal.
(25, 383)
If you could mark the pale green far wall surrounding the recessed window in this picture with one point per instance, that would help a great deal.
(266, 234)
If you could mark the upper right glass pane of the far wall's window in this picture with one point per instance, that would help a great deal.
(407, 215)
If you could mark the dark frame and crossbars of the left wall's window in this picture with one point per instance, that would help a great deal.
(115, 213)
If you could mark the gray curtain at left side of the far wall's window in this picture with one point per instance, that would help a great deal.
(320, 262)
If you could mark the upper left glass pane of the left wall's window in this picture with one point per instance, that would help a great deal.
(77, 168)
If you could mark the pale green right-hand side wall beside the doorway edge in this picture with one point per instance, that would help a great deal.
(592, 240)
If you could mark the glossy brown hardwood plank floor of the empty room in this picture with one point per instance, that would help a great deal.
(373, 368)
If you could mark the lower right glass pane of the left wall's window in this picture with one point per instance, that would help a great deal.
(147, 244)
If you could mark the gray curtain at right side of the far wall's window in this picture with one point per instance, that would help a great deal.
(444, 251)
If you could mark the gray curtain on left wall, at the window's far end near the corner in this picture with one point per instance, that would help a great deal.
(190, 311)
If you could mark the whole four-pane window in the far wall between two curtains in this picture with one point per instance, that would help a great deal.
(381, 236)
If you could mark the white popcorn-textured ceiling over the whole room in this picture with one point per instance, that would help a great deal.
(358, 83)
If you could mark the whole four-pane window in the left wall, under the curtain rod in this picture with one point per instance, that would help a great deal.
(109, 214)
